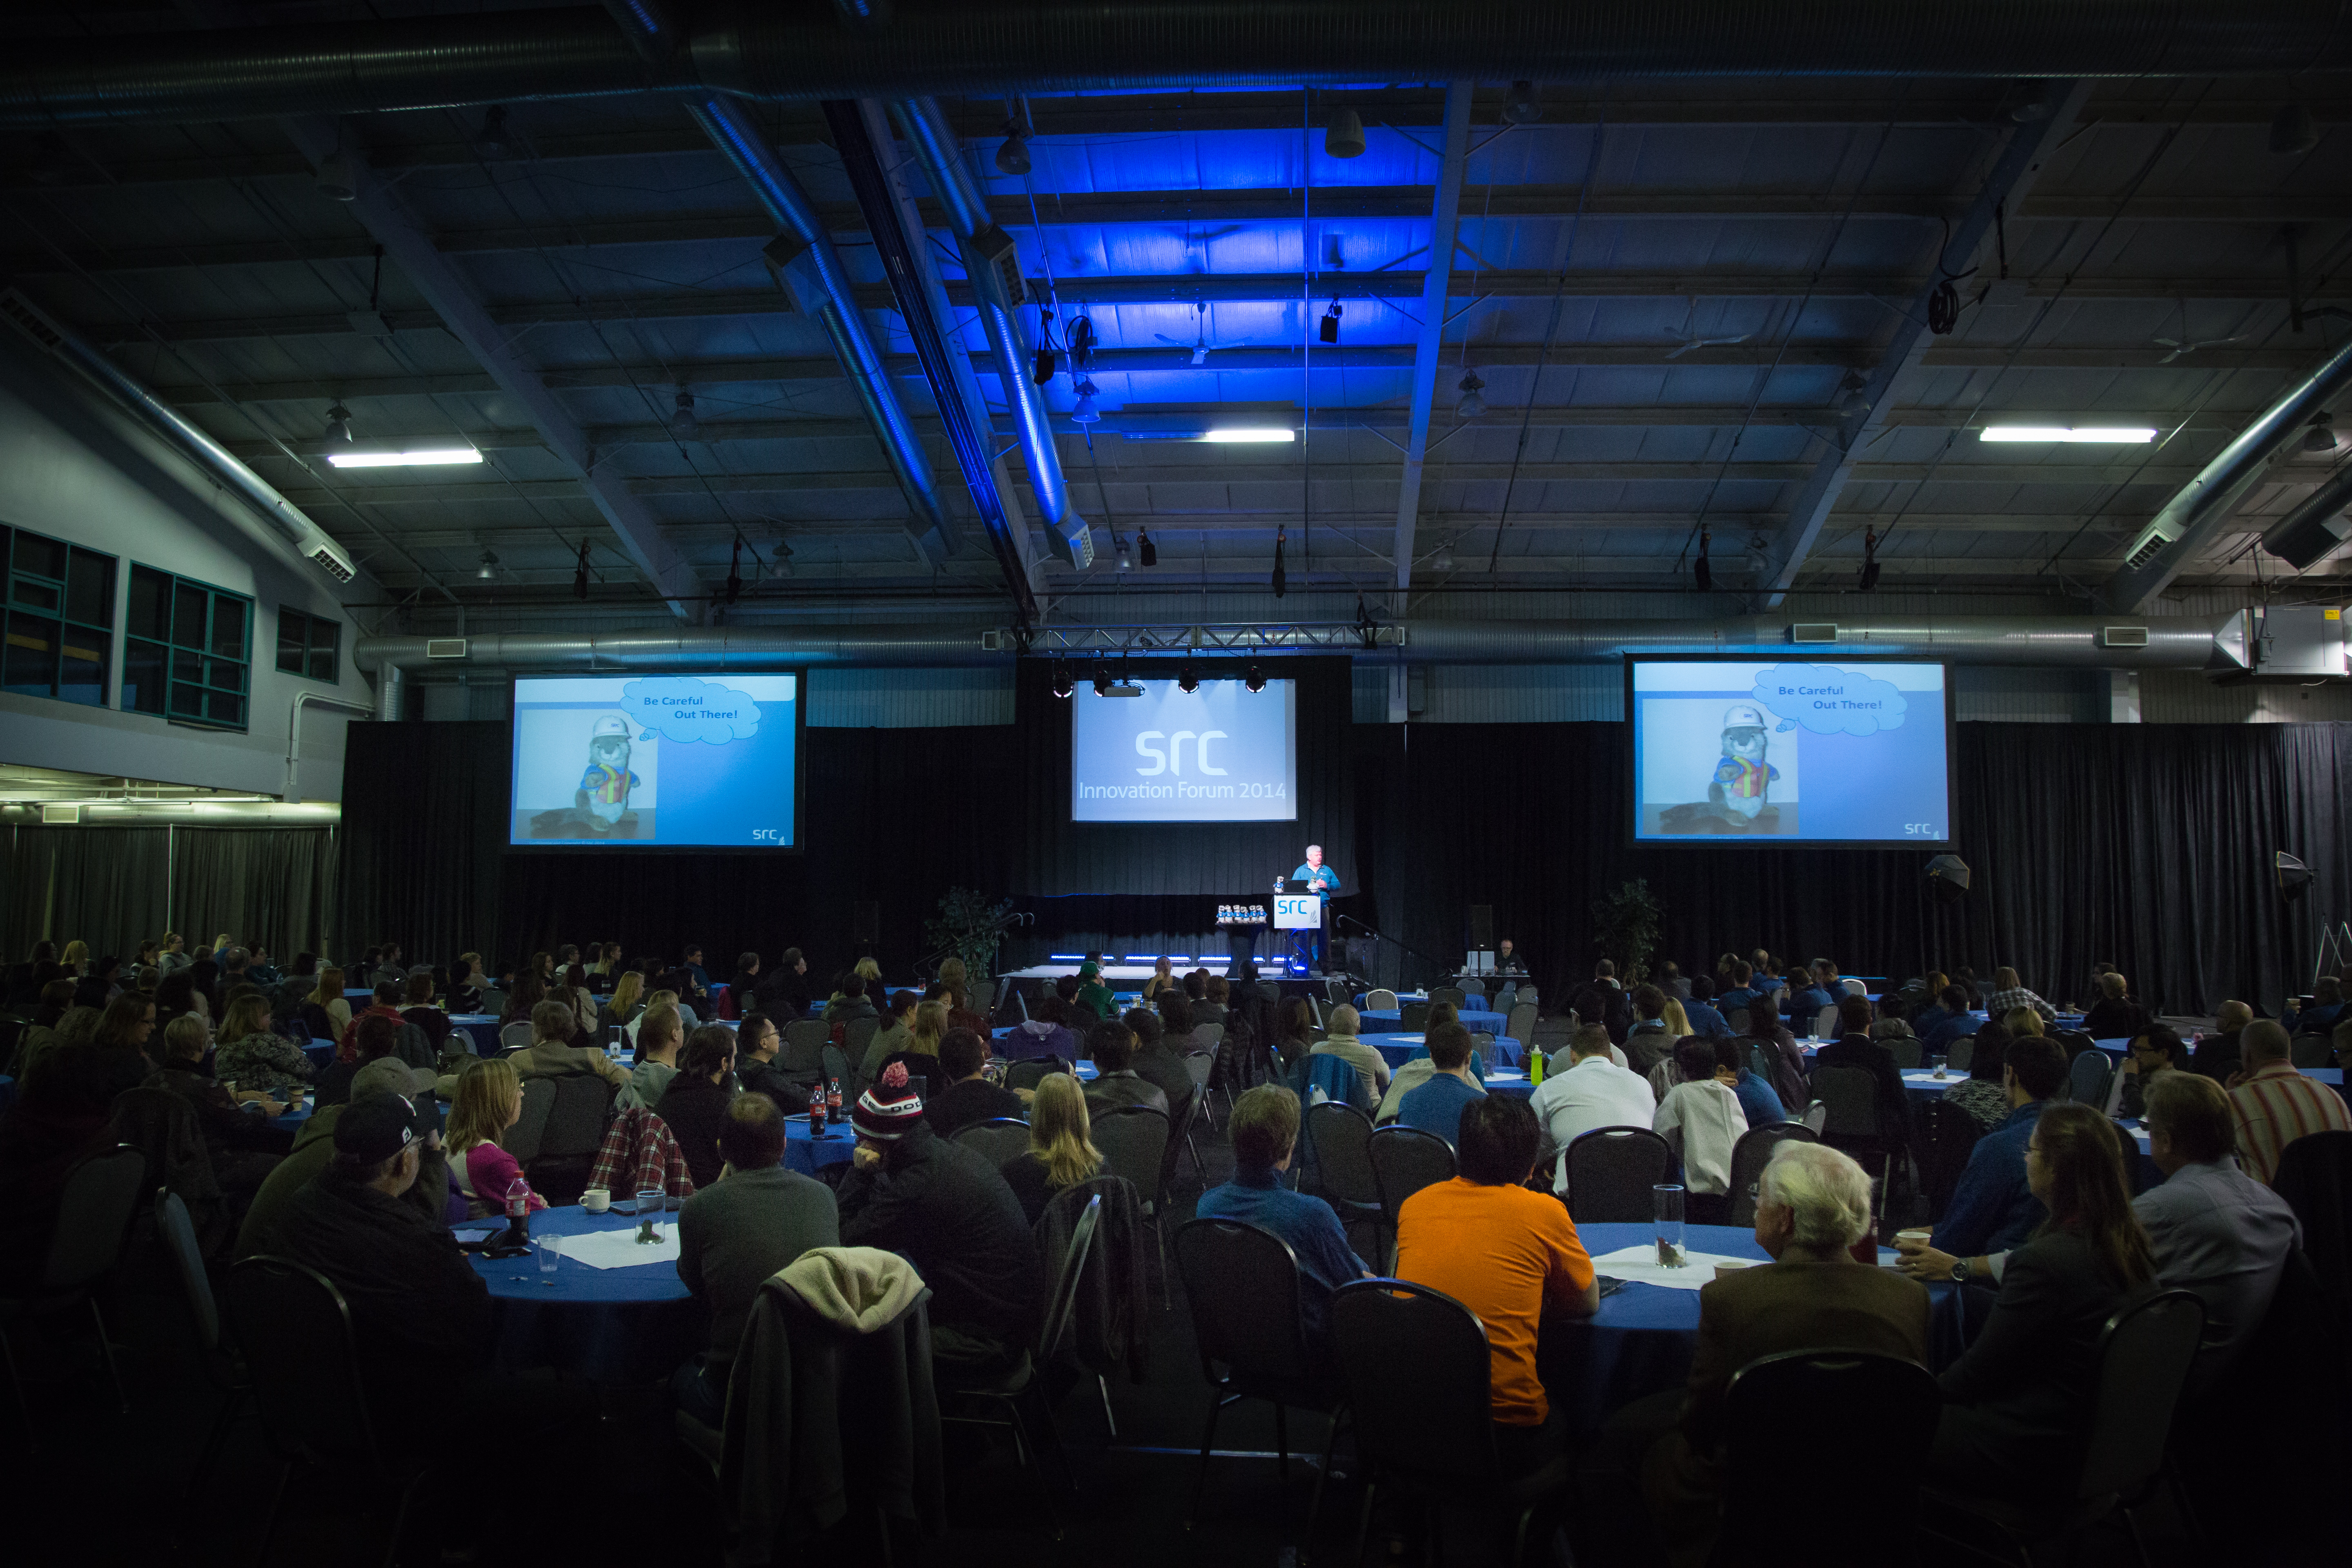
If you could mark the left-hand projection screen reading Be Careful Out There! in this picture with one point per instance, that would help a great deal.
(657, 763)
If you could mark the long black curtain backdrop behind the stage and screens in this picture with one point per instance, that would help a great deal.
(2141, 845)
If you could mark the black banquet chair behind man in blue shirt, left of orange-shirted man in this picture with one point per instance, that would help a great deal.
(1243, 1289)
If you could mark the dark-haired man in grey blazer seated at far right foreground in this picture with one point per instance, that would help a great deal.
(2212, 1228)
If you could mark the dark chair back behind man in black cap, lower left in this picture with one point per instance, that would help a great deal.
(316, 1416)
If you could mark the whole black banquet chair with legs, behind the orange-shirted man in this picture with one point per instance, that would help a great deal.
(1417, 1376)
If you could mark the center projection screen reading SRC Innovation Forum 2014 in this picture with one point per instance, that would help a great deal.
(1222, 753)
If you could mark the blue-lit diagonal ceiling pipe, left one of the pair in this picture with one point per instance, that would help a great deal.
(810, 272)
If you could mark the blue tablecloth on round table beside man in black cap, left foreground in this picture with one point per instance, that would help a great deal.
(599, 1325)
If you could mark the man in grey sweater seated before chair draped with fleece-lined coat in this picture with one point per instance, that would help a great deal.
(756, 1221)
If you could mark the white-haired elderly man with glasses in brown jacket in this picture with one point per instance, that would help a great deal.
(1812, 1207)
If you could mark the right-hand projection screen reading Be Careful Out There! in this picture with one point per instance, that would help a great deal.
(1782, 751)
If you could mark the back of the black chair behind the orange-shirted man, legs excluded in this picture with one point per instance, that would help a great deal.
(1417, 1374)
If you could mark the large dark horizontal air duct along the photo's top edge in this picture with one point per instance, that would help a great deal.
(994, 48)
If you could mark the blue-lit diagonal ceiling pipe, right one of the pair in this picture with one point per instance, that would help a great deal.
(996, 281)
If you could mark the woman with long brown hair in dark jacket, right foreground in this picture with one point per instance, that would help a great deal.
(2022, 1398)
